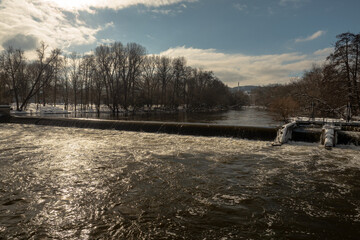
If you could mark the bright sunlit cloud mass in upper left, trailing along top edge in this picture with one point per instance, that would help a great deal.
(57, 22)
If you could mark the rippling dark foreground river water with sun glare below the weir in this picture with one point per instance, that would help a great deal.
(68, 183)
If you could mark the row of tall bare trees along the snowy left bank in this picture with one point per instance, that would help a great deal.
(123, 77)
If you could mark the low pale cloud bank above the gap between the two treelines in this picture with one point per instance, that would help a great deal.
(246, 69)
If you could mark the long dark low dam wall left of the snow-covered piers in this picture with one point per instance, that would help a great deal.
(197, 129)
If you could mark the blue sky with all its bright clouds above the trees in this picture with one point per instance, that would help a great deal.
(245, 42)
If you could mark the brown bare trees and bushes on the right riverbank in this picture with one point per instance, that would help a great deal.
(330, 90)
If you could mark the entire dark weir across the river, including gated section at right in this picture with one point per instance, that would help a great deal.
(304, 131)
